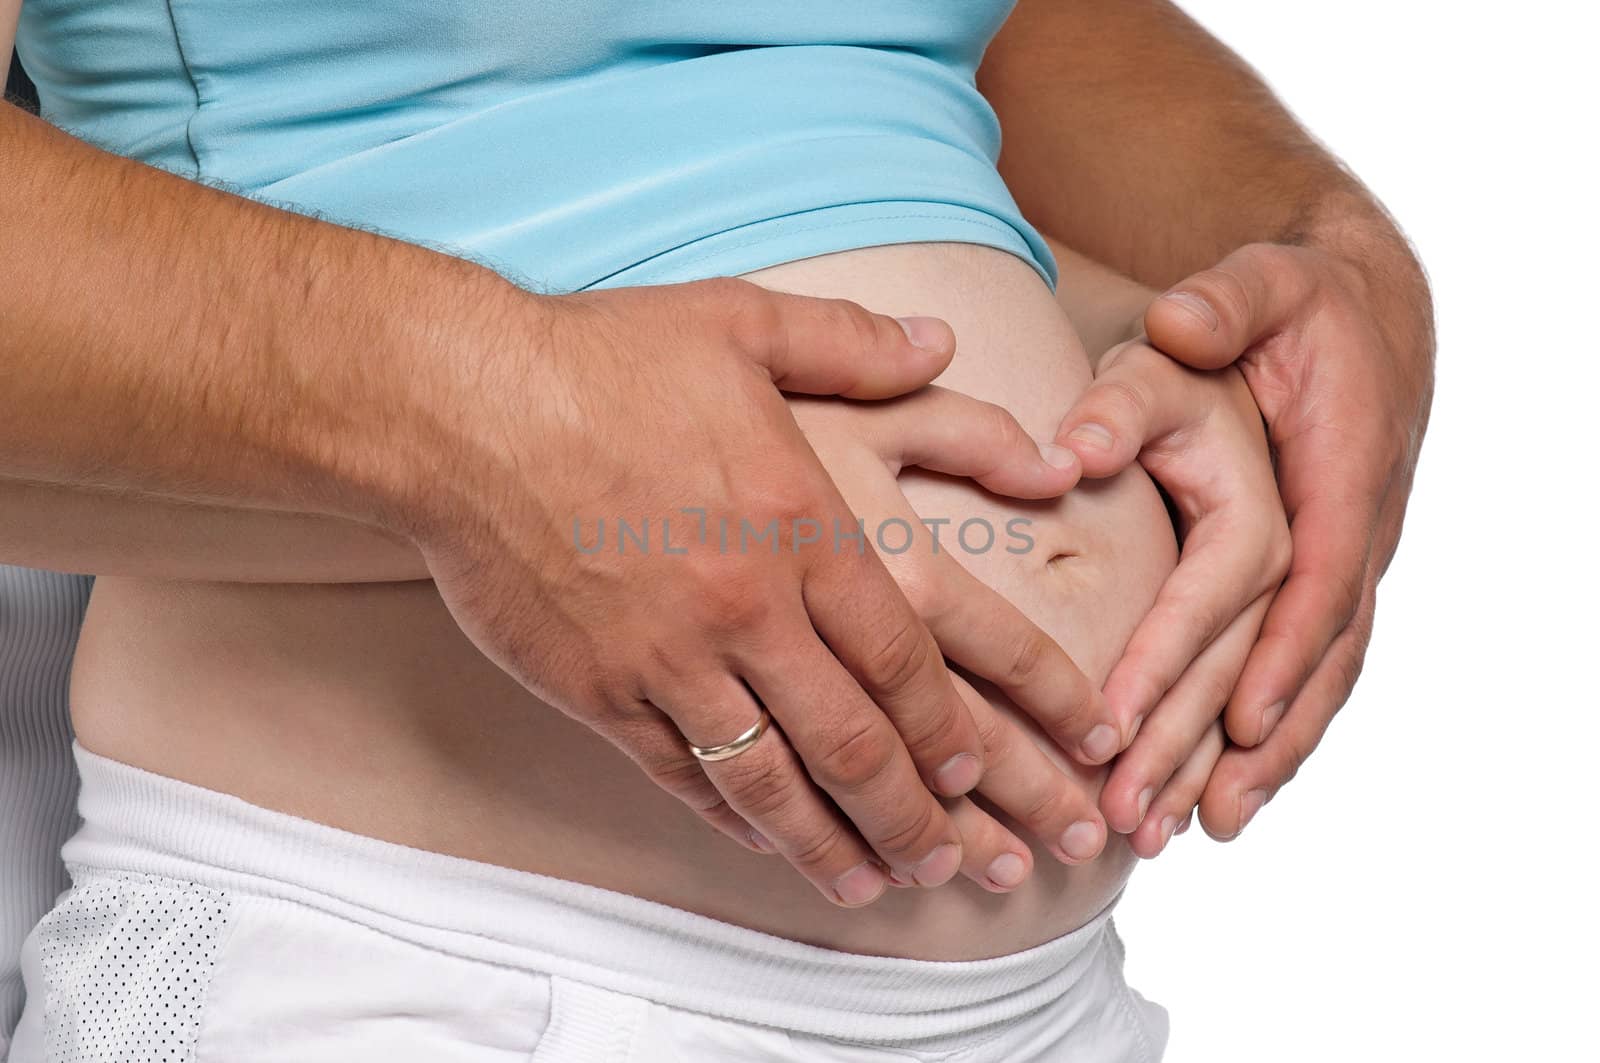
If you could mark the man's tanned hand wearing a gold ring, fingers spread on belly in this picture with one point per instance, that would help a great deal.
(746, 582)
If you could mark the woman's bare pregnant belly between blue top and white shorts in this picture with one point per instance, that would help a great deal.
(366, 708)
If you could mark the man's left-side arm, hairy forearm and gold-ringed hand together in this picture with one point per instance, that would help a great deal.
(273, 361)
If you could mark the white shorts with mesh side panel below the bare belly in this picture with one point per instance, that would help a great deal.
(202, 928)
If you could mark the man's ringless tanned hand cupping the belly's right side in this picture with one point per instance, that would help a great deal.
(1337, 345)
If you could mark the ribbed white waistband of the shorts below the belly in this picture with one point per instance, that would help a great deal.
(140, 822)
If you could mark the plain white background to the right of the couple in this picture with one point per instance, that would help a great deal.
(1426, 888)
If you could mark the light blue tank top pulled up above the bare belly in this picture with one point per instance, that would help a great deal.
(566, 143)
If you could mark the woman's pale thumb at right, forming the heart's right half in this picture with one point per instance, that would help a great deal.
(1138, 396)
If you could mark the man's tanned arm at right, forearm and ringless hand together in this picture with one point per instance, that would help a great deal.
(1142, 142)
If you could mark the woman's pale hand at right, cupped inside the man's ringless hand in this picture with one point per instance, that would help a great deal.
(1199, 435)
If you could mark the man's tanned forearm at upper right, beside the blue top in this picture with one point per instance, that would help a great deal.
(1140, 140)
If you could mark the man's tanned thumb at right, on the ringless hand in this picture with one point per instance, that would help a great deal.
(1212, 318)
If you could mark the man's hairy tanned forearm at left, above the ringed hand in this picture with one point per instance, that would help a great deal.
(174, 339)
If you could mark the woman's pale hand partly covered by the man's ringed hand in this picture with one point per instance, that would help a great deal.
(865, 447)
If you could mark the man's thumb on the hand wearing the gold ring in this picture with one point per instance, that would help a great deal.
(839, 348)
